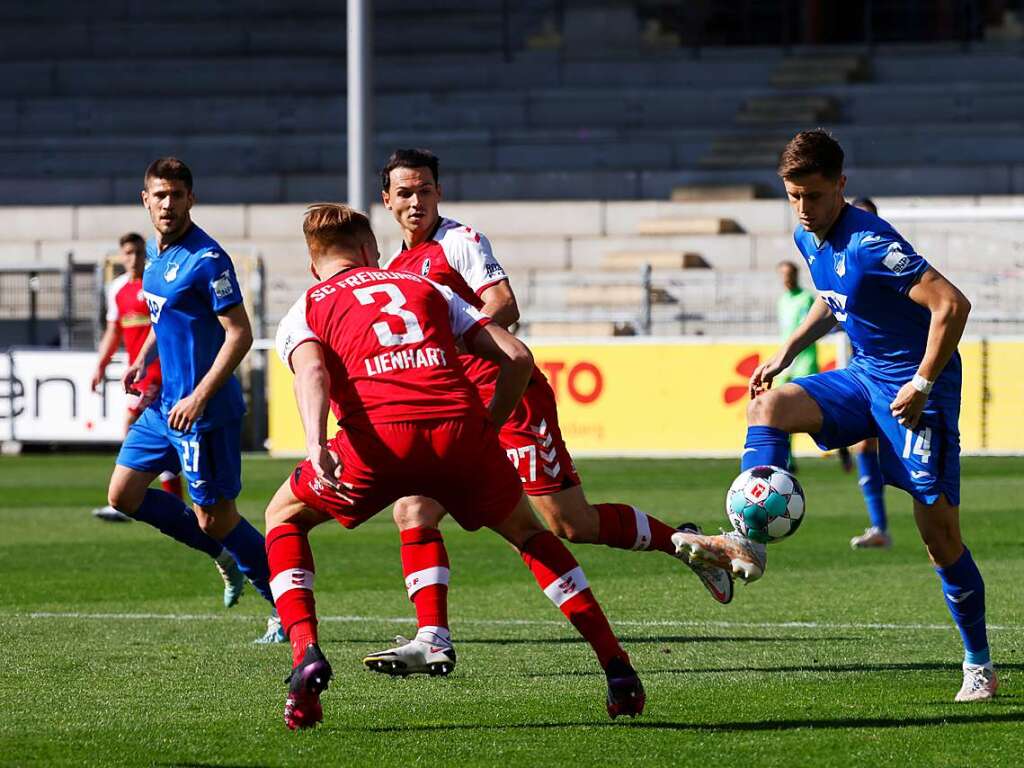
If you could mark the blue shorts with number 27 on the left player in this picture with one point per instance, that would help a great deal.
(210, 461)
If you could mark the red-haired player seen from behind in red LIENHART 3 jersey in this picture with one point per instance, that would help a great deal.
(378, 349)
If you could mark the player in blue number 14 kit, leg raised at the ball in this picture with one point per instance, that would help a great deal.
(903, 386)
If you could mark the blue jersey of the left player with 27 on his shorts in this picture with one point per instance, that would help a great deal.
(186, 287)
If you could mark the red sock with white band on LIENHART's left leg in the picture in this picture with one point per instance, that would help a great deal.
(292, 573)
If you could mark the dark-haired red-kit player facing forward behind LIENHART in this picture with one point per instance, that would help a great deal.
(461, 259)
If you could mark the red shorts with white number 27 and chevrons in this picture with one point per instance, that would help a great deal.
(535, 446)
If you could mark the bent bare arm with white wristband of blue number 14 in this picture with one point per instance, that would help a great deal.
(950, 311)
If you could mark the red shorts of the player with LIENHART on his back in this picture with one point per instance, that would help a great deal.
(457, 462)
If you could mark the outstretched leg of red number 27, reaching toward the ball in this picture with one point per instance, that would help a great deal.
(572, 518)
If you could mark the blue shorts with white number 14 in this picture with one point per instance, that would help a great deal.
(856, 406)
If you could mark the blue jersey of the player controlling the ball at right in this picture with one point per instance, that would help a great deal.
(864, 270)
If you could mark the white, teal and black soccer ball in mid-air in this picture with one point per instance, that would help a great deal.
(765, 504)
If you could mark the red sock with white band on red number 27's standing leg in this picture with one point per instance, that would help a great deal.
(425, 566)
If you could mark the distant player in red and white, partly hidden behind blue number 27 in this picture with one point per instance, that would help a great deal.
(129, 322)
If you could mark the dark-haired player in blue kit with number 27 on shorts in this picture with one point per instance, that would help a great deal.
(201, 332)
